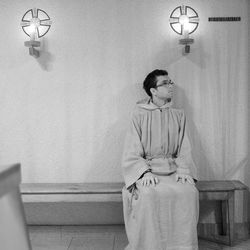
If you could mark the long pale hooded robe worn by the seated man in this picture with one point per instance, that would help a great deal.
(163, 217)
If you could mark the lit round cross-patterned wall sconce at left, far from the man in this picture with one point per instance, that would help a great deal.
(35, 24)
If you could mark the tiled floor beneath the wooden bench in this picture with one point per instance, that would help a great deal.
(97, 238)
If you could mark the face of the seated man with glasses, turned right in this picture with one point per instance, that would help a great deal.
(164, 88)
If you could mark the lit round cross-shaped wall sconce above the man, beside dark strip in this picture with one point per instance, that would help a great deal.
(184, 20)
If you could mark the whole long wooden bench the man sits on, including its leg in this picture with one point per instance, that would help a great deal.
(223, 191)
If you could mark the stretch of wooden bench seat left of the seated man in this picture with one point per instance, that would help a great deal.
(71, 192)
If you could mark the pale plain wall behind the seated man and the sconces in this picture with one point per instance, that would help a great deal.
(64, 115)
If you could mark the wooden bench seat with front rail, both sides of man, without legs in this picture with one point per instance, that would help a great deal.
(91, 192)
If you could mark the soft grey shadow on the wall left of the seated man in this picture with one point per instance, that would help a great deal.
(110, 149)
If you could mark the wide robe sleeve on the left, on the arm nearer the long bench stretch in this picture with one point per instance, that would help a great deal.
(133, 162)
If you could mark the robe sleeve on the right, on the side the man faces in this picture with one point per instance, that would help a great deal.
(184, 160)
